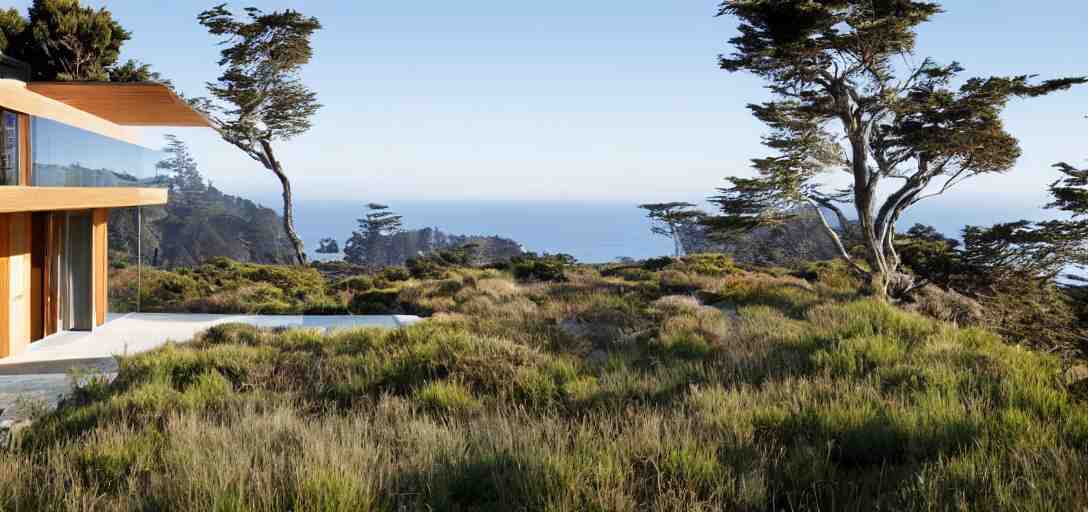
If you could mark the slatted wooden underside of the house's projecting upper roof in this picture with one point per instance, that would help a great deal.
(125, 104)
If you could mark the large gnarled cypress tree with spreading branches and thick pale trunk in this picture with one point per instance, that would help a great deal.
(848, 99)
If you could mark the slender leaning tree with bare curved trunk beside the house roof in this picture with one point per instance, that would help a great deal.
(261, 98)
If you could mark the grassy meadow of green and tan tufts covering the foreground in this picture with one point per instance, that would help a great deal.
(673, 385)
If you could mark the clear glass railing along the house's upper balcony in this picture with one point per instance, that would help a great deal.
(69, 157)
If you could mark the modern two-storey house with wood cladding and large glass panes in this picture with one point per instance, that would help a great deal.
(69, 155)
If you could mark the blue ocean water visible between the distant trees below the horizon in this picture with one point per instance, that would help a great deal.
(592, 232)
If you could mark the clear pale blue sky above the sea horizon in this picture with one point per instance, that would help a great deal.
(573, 99)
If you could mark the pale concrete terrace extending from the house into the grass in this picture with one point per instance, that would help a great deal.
(40, 374)
